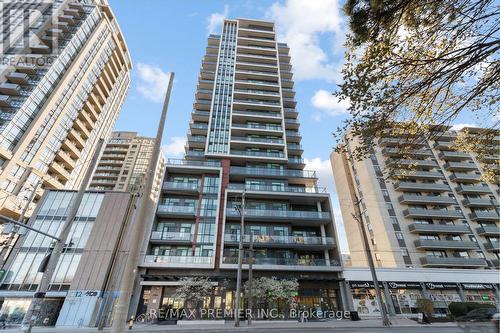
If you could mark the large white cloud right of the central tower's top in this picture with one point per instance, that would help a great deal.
(301, 23)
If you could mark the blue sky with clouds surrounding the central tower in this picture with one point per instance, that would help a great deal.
(170, 36)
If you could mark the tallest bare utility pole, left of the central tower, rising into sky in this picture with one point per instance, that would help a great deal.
(139, 226)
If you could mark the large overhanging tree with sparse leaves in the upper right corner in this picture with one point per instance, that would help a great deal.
(412, 65)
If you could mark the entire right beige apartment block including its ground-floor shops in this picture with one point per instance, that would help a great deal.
(427, 212)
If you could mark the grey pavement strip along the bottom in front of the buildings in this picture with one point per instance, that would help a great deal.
(257, 325)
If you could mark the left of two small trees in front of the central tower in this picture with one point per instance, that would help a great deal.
(193, 290)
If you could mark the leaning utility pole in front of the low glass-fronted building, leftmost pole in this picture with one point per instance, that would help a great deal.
(33, 311)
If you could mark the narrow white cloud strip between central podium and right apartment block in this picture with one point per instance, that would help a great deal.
(324, 173)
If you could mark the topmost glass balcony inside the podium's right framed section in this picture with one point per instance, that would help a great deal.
(279, 214)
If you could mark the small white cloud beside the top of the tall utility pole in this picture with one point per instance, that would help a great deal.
(153, 82)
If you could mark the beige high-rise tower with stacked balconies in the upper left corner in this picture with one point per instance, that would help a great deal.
(64, 73)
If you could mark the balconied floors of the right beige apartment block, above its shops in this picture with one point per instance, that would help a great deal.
(436, 211)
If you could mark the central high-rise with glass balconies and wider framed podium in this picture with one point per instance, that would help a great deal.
(243, 138)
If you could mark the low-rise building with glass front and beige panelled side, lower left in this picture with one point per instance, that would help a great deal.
(86, 281)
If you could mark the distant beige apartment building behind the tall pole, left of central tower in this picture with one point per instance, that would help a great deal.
(124, 162)
